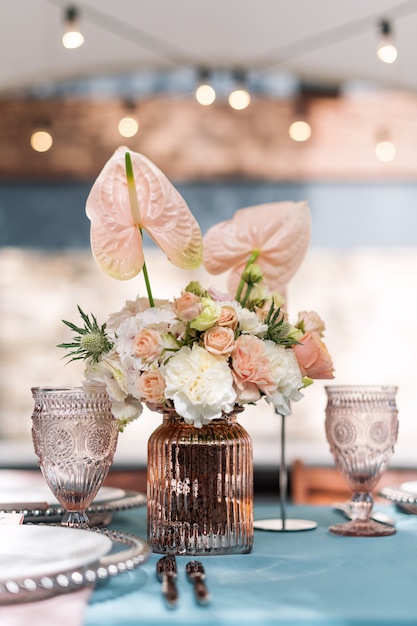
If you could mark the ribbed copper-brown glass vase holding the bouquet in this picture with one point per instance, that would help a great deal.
(200, 487)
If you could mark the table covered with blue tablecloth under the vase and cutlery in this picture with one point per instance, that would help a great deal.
(309, 577)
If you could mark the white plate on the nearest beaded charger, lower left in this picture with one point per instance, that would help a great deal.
(33, 551)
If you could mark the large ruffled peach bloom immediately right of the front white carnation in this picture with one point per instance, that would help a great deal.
(251, 369)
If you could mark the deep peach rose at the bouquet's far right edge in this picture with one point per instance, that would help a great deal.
(313, 357)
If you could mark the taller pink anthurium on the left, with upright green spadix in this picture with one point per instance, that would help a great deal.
(121, 204)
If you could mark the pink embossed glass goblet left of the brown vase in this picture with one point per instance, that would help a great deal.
(75, 435)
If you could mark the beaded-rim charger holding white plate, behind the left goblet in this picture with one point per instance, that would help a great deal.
(28, 494)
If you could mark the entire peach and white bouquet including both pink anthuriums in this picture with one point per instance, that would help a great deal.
(206, 353)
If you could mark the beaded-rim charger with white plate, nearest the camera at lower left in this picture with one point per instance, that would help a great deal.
(40, 561)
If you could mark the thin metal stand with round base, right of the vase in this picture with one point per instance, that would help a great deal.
(283, 524)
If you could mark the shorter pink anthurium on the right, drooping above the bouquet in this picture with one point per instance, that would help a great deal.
(276, 235)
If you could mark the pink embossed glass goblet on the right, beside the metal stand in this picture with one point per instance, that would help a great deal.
(361, 428)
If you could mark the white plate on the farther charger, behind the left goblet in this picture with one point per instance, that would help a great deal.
(30, 487)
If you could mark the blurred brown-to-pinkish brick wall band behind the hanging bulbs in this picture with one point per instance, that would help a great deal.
(188, 141)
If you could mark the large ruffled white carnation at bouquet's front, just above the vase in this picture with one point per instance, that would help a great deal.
(200, 385)
